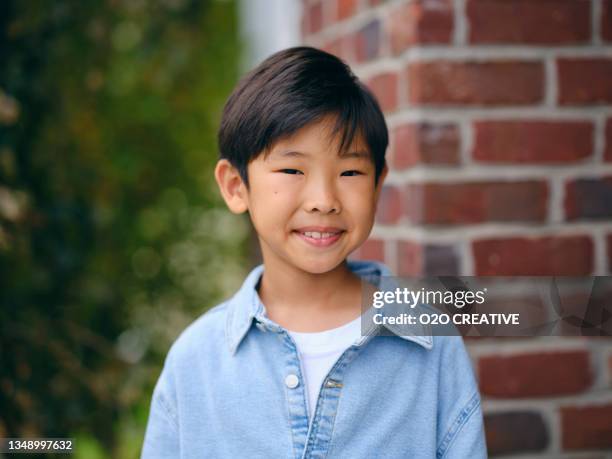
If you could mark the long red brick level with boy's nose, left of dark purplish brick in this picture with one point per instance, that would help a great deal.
(476, 202)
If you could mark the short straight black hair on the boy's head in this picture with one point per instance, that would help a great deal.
(291, 89)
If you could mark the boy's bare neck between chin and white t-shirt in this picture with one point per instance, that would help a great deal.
(305, 302)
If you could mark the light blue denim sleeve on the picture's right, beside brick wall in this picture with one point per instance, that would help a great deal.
(461, 427)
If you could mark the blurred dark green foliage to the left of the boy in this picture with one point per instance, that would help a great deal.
(112, 235)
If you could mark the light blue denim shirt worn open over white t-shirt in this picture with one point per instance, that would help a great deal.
(232, 387)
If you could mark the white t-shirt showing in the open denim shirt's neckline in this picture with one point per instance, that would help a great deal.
(319, 352)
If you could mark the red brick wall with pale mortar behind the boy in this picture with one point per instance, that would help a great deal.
(500, 113)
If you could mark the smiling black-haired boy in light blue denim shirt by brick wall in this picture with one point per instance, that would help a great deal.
(281, 369)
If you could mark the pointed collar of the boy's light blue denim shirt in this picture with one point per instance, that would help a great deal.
(246, 305)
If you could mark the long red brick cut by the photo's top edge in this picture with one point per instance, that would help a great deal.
(529, 21)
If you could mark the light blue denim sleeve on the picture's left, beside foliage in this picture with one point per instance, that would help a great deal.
(162, 432)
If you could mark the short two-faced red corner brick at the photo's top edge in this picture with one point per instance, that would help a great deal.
(421, 21)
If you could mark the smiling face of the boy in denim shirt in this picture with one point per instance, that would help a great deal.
(303, 191)
